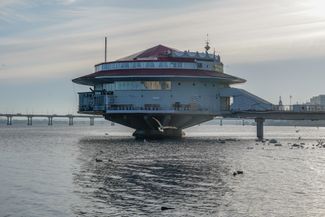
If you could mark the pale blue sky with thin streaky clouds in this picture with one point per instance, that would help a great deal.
(278, 46)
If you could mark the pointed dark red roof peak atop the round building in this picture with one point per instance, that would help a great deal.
(154, 52)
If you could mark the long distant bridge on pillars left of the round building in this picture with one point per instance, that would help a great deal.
(50, 118)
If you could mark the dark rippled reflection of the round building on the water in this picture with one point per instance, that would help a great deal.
(138, 178)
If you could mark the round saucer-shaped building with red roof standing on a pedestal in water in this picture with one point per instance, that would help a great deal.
(161, 90)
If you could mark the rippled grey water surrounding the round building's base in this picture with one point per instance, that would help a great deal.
(52, 171)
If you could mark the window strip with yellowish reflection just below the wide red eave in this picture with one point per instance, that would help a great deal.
(138, 85)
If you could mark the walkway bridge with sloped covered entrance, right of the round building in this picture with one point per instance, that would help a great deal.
(247, 105)
